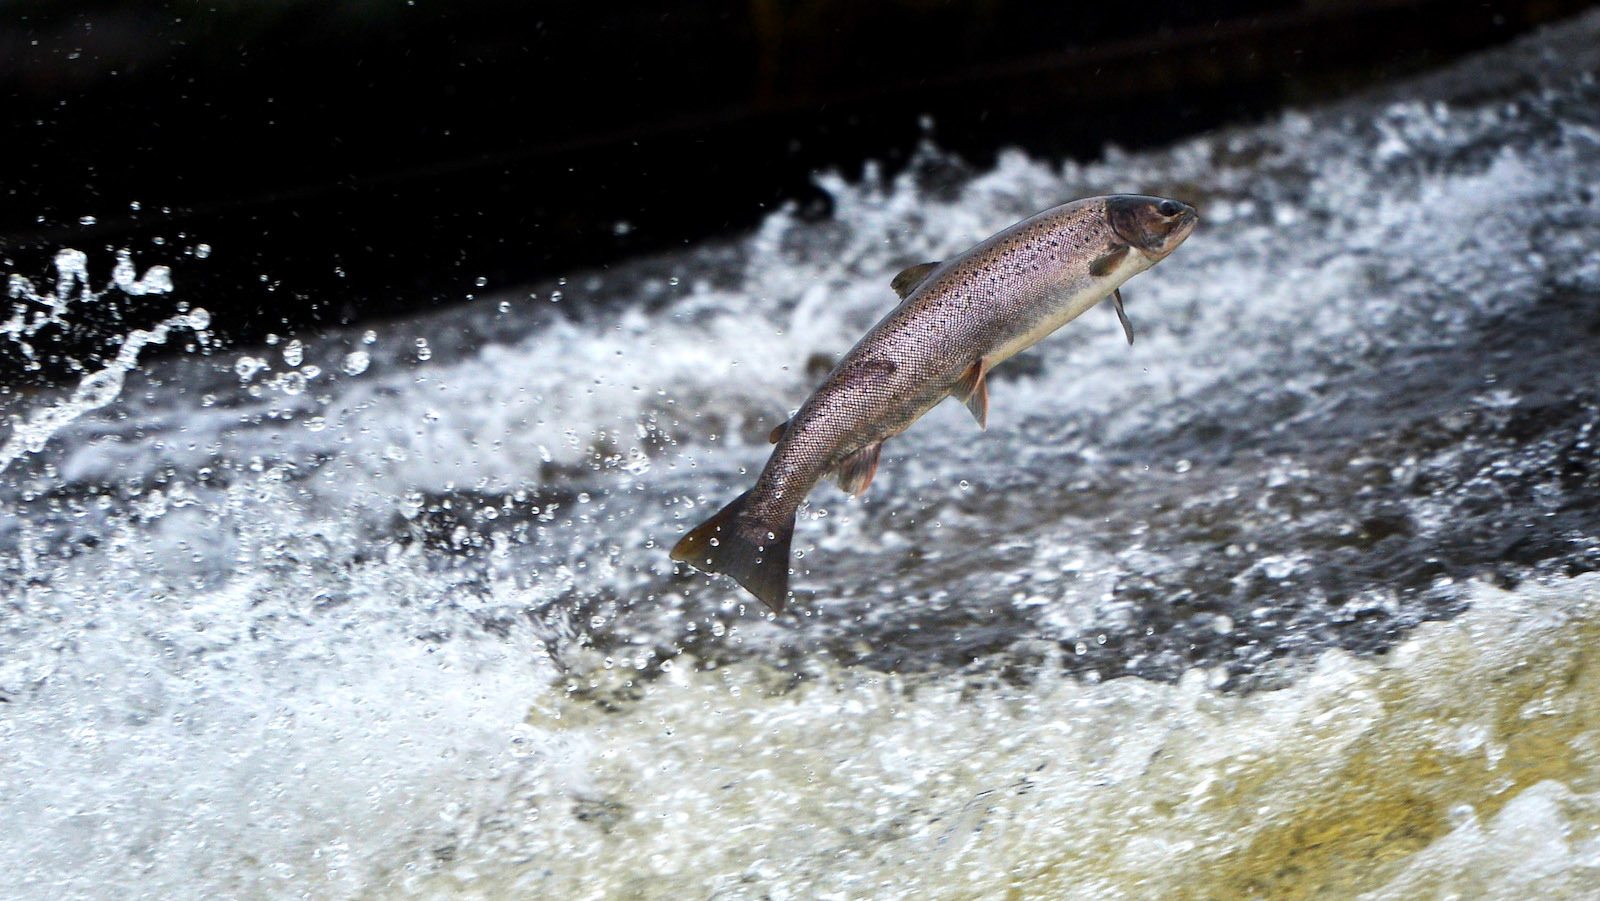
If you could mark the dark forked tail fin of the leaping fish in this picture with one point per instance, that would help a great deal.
(751, 551)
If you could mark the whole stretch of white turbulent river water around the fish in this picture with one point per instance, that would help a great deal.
(1290, 599)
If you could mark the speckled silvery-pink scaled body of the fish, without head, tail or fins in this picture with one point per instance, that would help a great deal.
(967, 308)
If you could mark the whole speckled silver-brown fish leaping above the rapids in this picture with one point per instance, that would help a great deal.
(956, 322)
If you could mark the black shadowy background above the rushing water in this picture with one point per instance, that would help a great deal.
(353, 159)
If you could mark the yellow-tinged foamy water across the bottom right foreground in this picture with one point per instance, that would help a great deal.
(1364, 775)
